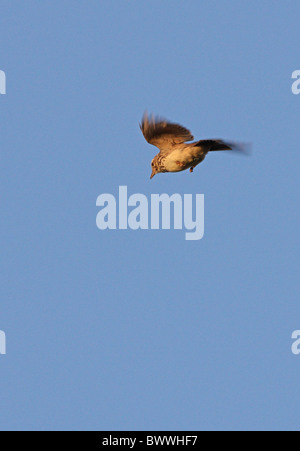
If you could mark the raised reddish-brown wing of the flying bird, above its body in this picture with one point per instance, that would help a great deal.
(163, 134)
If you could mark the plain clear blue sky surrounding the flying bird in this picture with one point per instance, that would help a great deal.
(142, 330)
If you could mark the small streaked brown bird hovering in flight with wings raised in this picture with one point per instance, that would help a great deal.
(176, 154)
